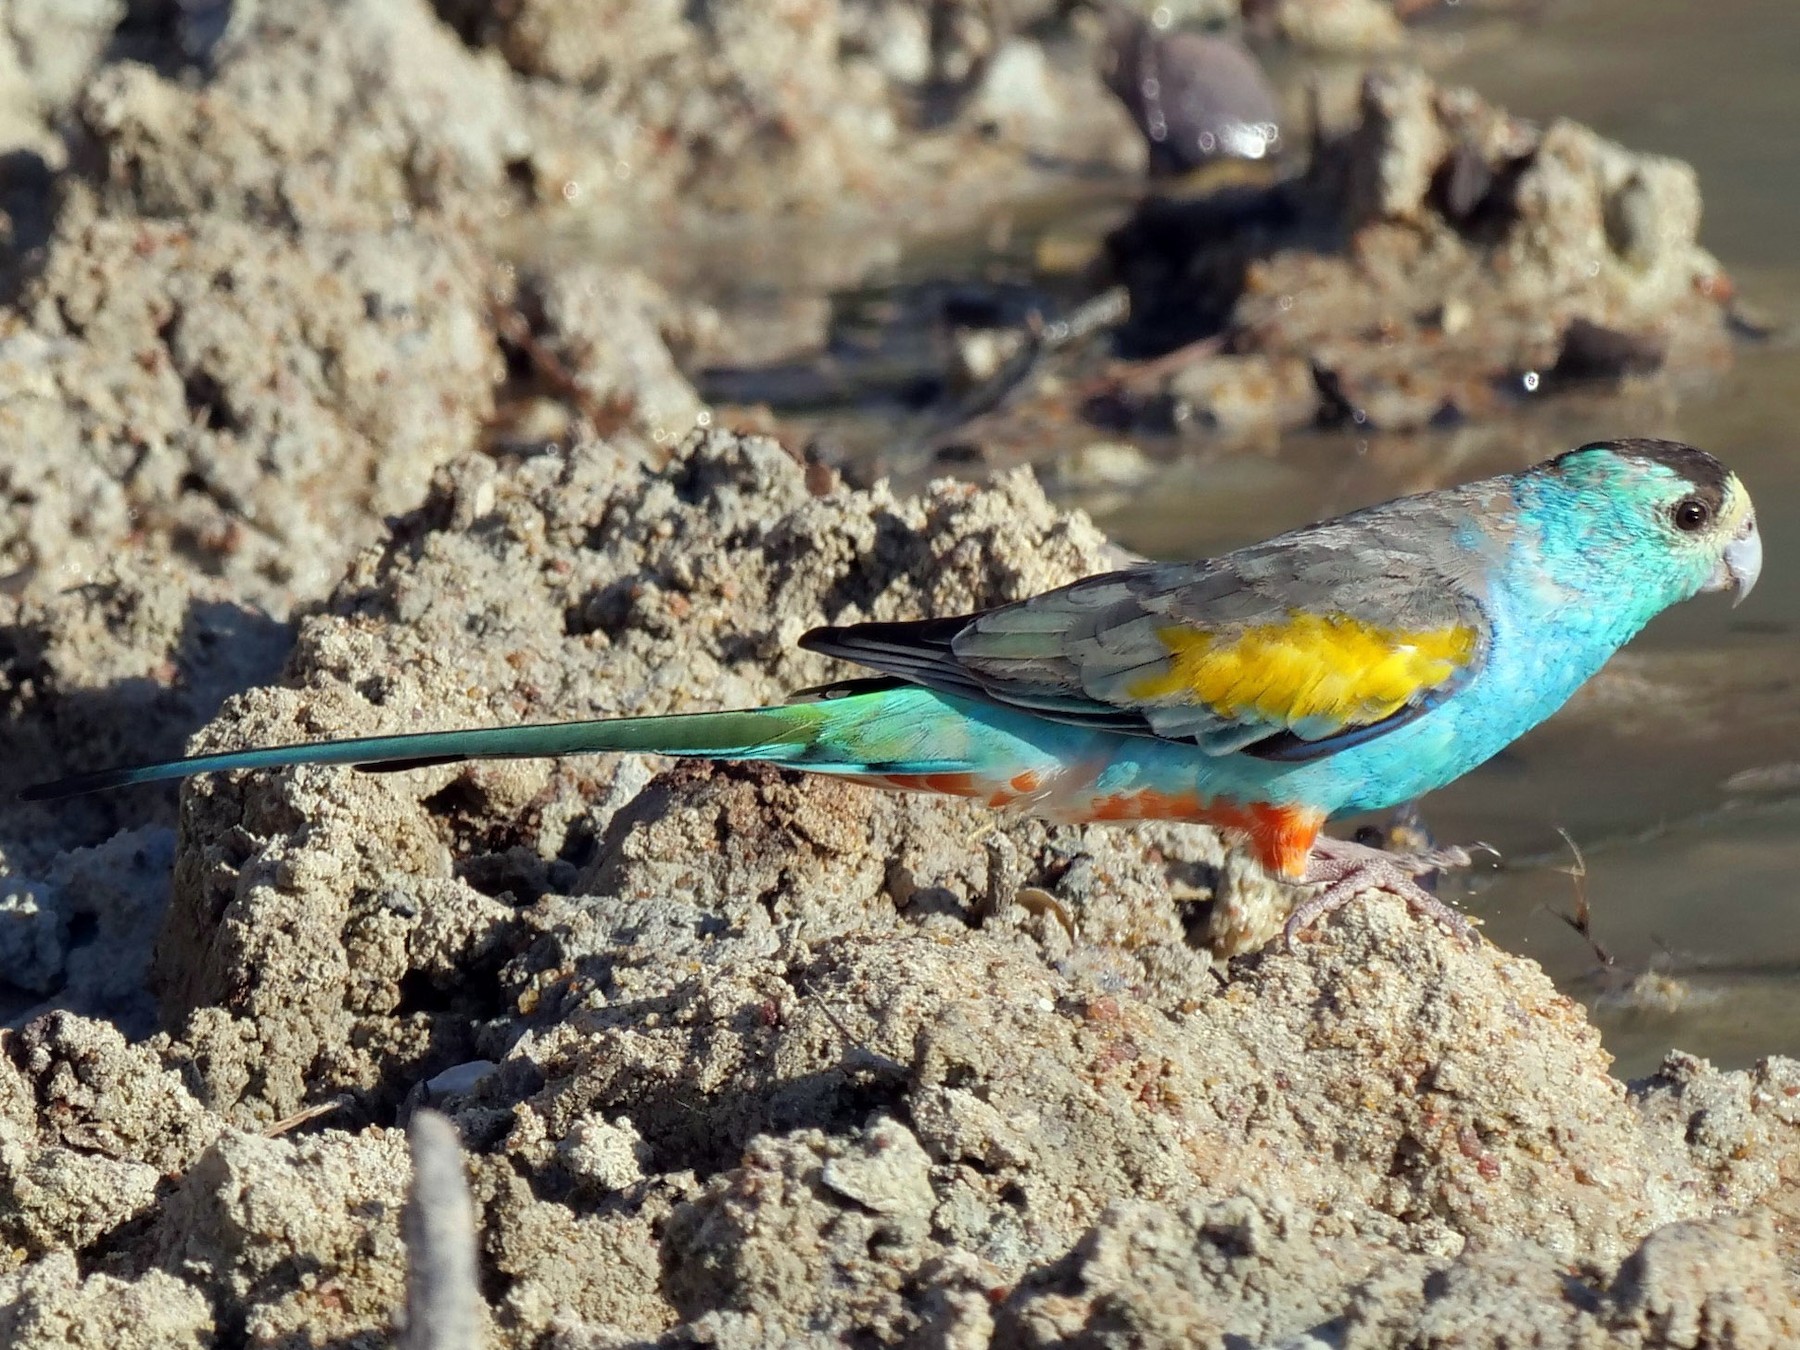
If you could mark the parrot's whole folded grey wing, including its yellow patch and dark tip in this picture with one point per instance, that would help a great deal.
(1291, 649)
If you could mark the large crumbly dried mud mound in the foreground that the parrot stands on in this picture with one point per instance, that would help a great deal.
(753, 1059)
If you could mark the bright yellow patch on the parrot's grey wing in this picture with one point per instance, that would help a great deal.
(1304, 667)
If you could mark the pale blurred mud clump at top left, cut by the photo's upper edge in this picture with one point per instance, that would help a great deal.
(310, 116)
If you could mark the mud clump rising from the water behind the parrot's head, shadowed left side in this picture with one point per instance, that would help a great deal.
(1441, 262)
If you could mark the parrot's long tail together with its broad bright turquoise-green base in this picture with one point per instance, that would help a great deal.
(903, 730)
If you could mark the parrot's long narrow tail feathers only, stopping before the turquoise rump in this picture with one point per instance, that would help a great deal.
(787, 733)
